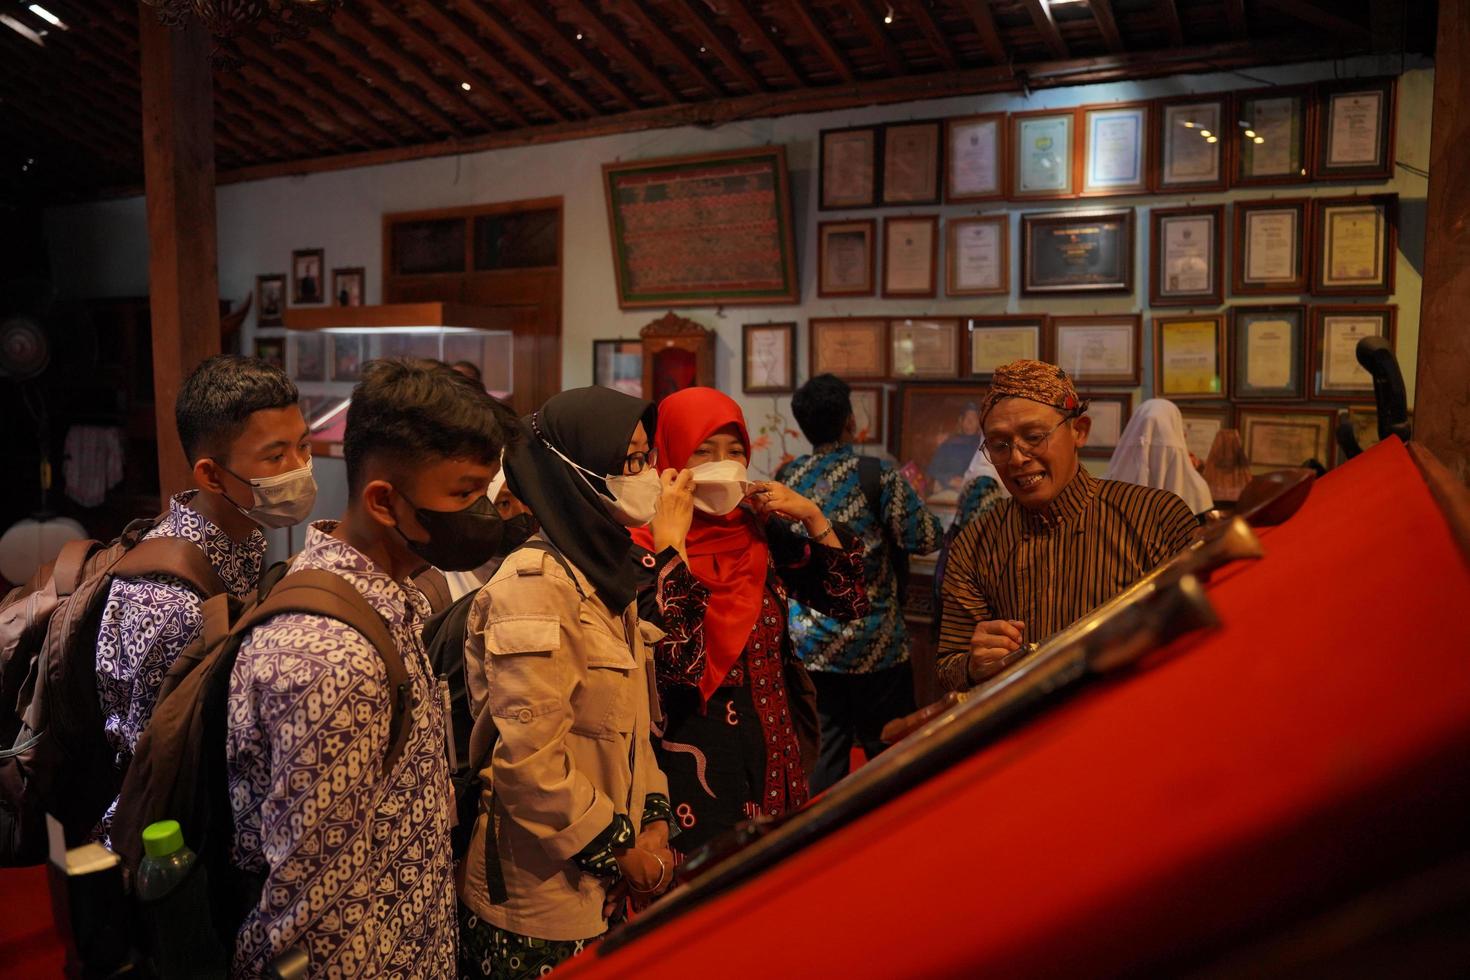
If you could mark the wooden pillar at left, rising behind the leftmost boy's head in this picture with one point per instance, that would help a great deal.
(179, 164)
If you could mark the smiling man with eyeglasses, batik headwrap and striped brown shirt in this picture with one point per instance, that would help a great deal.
(1062, 546)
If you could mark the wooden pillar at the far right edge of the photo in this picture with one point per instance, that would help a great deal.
(1443, 390)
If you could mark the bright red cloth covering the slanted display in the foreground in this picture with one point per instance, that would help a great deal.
(1312, 746)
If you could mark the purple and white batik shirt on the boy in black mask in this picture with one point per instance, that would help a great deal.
(359, 872)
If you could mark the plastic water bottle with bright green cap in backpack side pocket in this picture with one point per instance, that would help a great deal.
(174, 897)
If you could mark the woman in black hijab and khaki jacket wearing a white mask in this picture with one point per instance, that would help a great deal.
(574, 812)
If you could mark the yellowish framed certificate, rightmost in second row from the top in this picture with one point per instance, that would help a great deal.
(1355, 245)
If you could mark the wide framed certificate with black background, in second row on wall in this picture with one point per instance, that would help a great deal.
(1077, 252)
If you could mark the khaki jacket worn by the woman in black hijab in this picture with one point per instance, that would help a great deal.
(570, 685)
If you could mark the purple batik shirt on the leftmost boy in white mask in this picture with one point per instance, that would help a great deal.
(149, 622)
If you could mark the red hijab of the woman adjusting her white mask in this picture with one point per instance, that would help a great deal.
(728, 555)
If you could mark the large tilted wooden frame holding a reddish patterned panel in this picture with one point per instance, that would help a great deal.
(662, 259)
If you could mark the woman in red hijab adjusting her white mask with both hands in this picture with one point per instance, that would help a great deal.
(740, 713)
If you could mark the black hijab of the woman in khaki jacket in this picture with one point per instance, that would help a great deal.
(593, 428)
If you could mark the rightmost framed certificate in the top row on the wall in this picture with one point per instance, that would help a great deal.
(1355, 131)
